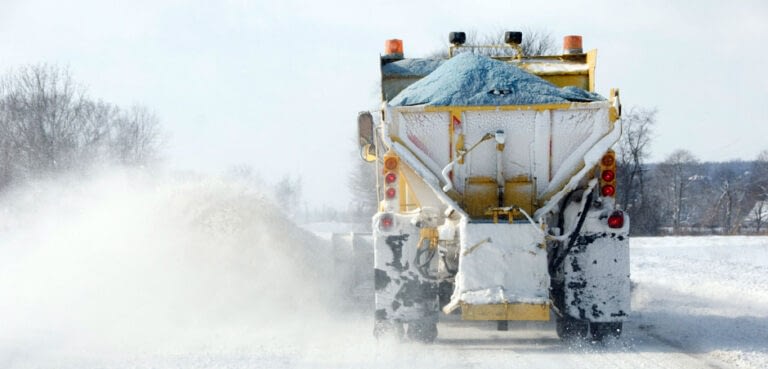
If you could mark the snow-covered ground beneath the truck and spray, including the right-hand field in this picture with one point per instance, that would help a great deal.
(698, 304)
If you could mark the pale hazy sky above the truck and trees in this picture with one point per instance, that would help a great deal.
(277, 84)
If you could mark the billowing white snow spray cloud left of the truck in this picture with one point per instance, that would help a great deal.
(125, 261)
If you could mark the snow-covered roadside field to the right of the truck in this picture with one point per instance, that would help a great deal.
(704, 295)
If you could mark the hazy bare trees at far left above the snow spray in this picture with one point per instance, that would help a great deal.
(48, 124)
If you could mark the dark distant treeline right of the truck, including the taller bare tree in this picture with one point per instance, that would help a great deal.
(682, 195)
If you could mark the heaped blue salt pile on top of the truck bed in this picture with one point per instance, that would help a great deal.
(469, 79)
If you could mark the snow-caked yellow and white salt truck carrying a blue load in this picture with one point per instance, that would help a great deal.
(496, 185)
